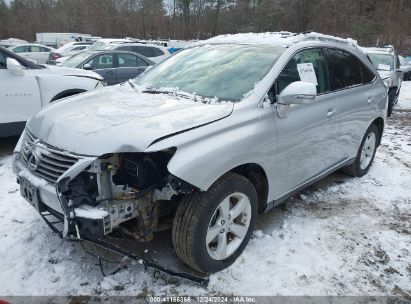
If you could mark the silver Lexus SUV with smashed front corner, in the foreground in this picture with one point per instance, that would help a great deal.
(206, 140)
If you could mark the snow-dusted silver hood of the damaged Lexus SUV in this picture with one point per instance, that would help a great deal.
(118, 119)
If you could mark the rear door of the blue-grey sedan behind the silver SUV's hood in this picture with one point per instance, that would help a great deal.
(129, 66)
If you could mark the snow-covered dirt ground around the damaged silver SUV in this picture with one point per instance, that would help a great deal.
(342, 236)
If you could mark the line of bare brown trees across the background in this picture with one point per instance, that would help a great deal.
(371, 22)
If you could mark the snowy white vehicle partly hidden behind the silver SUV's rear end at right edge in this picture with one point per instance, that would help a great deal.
(387, 64)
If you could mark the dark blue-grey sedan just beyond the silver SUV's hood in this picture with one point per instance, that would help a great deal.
(114, 66)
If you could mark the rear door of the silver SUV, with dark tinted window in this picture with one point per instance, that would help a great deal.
(355, 96)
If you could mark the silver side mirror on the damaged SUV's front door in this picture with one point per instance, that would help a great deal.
(298, 92)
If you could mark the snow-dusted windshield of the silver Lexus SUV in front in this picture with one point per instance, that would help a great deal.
(227, 72)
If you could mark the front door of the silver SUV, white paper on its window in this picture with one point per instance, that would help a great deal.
(306, 140)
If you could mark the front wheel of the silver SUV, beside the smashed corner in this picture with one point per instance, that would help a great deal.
(199, 215)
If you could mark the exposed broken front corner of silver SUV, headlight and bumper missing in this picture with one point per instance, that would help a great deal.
(130, 191)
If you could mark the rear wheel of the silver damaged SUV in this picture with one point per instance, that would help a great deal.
(359, 168)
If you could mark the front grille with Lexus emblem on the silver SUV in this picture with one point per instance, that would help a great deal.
(45, 161)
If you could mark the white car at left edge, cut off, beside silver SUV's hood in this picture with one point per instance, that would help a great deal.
(26, 87)
